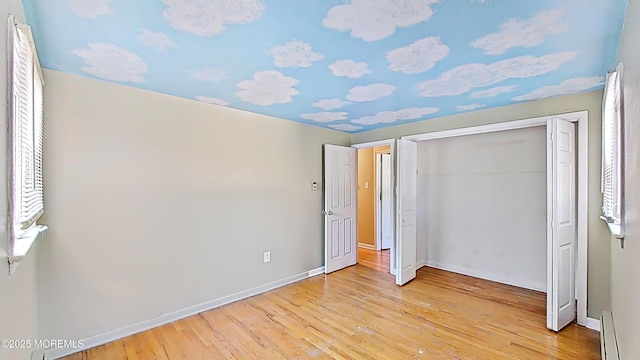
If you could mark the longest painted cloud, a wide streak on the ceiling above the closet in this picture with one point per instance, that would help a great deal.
(463, 78)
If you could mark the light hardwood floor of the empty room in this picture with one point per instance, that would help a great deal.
(359, 313)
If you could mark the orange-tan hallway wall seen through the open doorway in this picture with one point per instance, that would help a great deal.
(366, 197)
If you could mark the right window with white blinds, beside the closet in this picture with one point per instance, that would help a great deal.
(612, 201)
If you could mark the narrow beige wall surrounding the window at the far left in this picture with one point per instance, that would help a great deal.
(18, 292)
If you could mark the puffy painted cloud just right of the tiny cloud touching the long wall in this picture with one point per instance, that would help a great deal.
(267, 88)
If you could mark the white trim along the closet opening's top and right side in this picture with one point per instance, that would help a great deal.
(582, 119)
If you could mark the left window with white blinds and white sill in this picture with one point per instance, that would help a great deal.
(26, 200)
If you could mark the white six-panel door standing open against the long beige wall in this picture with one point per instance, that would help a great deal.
(340, 239)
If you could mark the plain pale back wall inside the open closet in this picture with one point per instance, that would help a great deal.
(482, 205)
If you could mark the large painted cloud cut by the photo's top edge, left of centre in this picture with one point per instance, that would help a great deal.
(208, 17)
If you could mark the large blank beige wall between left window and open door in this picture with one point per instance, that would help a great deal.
(157, 203)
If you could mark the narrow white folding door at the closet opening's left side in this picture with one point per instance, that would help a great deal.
(406, 233)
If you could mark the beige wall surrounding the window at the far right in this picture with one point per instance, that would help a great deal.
(625, 262)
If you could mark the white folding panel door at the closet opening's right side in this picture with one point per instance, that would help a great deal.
(562, 224)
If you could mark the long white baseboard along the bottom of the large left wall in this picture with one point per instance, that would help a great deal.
(106, 337)
